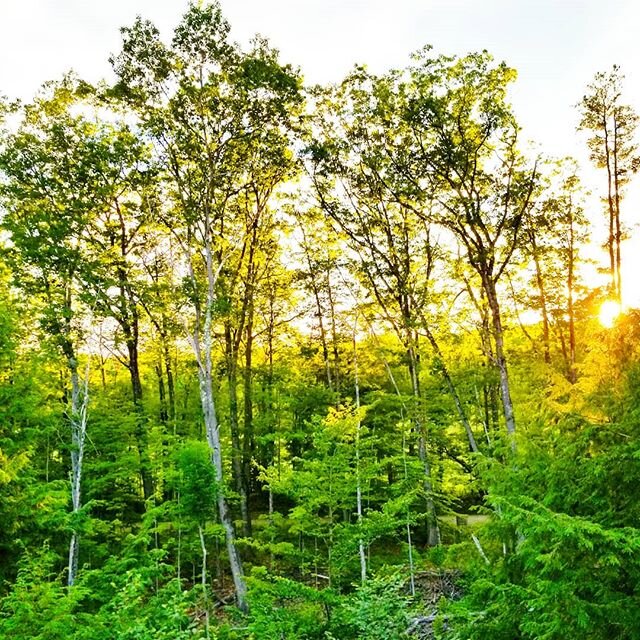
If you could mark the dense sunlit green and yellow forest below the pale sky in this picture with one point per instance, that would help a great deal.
(320, 362)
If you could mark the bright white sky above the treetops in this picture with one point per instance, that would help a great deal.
(555, 45)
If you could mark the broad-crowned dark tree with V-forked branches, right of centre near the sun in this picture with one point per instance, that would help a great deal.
(463, 165)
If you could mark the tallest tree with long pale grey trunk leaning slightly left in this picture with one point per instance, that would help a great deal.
(220, 121)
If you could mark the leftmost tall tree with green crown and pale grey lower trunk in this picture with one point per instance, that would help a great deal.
(58, 171)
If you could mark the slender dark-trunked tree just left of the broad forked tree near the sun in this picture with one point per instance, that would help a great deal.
(393, 254)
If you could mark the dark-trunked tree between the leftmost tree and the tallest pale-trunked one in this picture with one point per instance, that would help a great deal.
(114, 243)
